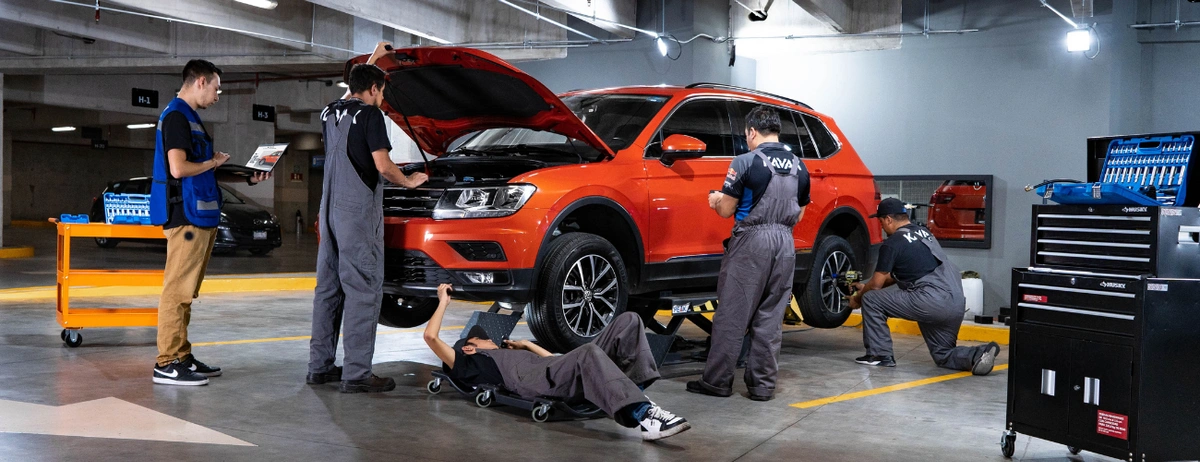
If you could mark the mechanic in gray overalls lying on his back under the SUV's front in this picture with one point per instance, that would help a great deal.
(611, 373)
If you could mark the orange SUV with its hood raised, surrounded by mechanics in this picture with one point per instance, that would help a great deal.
(579, 207)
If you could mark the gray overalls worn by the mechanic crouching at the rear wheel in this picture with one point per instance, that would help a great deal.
(935, 302)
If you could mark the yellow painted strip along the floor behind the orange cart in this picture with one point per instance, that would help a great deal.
(212, 286)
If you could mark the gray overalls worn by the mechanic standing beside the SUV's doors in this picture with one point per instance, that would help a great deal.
(755, 286)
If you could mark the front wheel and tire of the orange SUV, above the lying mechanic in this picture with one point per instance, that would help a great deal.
(583, 287)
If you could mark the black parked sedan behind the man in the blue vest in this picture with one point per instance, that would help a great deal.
(244, 226)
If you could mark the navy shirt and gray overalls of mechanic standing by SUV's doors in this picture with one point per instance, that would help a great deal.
(755, 284)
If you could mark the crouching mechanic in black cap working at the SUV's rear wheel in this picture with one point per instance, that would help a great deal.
(914, 280)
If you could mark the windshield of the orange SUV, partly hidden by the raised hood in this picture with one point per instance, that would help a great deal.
(616, 119)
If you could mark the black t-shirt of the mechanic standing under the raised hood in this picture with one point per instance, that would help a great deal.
(368, 135)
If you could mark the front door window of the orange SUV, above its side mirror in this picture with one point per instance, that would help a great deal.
(707, 121)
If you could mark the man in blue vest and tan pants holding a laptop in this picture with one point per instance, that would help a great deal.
(187, 202)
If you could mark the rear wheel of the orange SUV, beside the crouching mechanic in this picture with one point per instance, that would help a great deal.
(820, 299)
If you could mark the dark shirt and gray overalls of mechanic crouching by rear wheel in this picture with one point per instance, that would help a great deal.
(931, 297)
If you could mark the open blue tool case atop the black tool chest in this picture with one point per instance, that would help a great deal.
(1150, 171)
